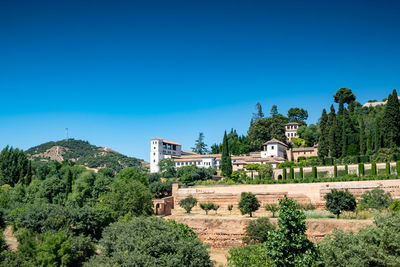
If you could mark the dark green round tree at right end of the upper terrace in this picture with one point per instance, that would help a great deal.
(339, 201)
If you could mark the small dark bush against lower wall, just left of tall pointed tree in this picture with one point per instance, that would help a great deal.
(257, 231)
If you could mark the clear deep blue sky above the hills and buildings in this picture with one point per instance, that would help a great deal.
(118, 73)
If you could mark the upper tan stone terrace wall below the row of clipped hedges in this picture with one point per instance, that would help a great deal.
(313, 193)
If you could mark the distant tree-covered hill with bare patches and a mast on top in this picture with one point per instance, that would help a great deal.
(83, 153)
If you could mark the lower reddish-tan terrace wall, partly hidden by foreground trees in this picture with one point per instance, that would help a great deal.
(226, 232)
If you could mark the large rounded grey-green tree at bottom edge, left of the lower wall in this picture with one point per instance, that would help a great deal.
(150, 241)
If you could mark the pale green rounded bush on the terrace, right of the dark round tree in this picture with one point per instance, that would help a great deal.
(375, 199)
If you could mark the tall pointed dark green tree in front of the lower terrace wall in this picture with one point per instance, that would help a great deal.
(289, 245)
